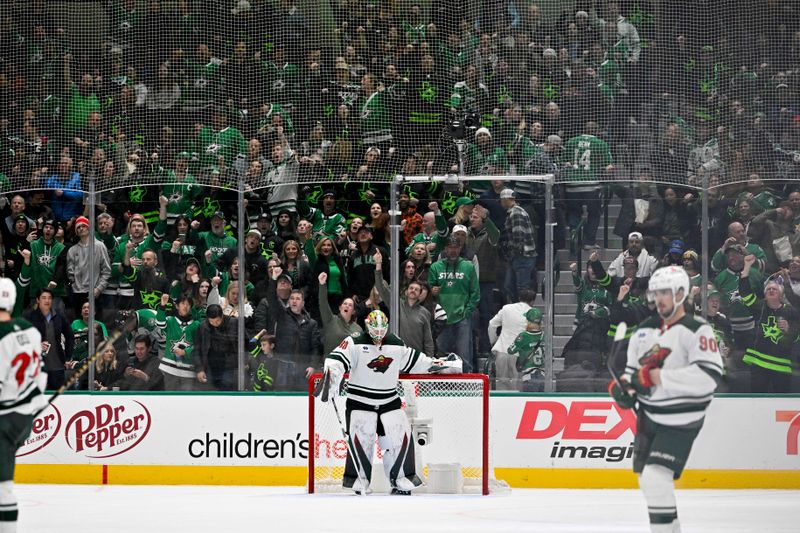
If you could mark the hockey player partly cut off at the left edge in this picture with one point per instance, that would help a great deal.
(22, 383)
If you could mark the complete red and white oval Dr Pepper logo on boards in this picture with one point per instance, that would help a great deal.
(108, 429)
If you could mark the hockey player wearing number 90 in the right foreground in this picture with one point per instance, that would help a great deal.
(673, 368)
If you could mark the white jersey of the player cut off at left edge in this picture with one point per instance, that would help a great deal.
(22, 379)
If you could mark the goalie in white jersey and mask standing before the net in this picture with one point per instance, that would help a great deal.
(375, 359)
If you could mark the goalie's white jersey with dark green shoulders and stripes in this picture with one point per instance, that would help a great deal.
(374, 370)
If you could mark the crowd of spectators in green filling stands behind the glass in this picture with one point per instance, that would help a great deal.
(178, 104)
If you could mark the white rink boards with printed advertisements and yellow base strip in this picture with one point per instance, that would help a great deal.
(536, 441)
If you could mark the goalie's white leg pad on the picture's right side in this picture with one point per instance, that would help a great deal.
(398, 451)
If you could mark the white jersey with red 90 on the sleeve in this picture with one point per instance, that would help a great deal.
(690, 373)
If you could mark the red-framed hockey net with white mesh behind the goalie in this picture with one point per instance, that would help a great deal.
(449, 415)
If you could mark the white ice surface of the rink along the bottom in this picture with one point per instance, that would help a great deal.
(155, 509)
